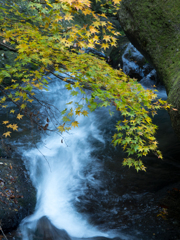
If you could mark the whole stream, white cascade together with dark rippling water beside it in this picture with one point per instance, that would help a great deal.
(82, 186)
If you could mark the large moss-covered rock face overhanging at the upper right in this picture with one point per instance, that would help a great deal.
(153, 27)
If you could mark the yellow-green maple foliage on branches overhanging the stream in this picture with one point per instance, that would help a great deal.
(46, 35)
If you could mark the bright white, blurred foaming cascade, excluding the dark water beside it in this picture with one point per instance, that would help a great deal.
(59, 182)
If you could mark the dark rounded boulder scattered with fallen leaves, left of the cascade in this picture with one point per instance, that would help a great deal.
(17, 195)
